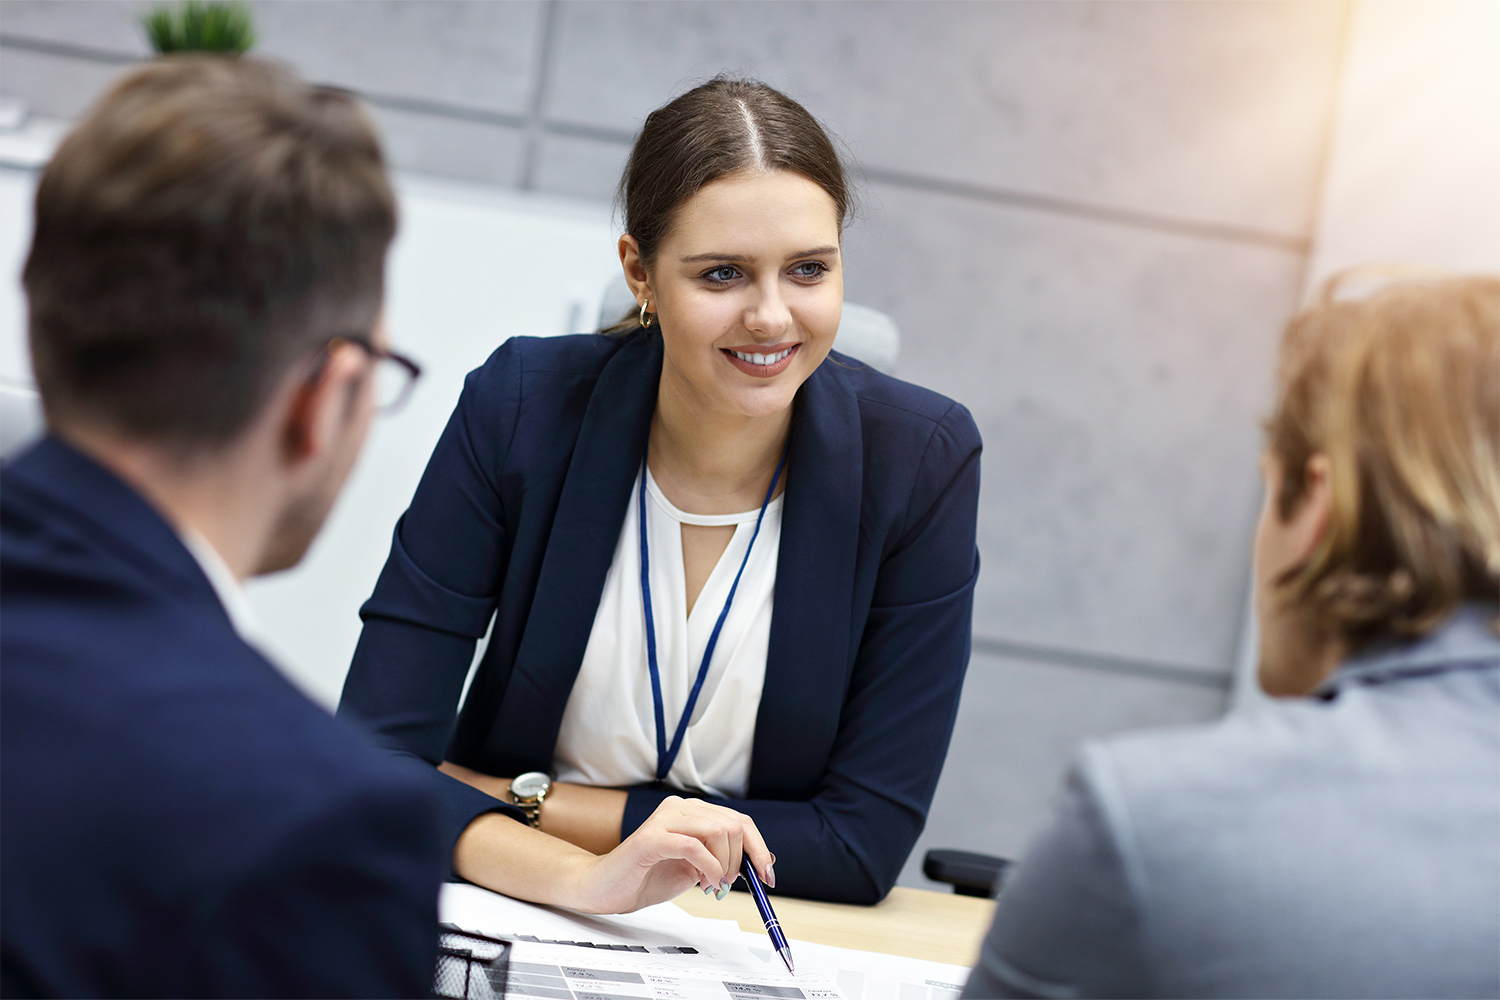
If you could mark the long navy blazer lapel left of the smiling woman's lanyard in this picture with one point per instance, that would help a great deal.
(581, 548)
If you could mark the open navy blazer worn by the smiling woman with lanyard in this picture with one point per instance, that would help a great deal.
(518, 516)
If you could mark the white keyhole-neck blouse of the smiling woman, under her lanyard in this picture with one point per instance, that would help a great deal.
(608, 734)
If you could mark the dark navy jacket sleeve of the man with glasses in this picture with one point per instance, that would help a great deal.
(344, 905)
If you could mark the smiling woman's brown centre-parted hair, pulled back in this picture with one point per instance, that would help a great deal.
(716, 130)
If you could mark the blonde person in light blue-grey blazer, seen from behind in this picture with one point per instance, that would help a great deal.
(1345, 840)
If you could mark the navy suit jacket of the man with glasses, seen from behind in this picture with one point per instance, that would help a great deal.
(178, 819)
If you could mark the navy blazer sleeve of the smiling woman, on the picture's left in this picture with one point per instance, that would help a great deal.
(437, 593)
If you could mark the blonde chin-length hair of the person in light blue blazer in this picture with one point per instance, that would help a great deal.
(1402, 392)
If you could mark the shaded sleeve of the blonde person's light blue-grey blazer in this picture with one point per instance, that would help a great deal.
(1069, 923)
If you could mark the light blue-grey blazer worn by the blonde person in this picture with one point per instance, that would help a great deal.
(1345, 845)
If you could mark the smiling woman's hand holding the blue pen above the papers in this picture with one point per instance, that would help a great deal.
(685, 843)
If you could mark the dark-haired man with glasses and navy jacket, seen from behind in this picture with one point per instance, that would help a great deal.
(205, 289)
